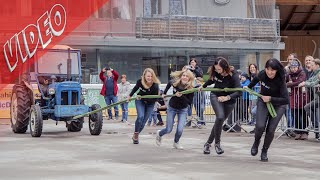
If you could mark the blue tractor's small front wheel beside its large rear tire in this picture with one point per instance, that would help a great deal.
(36, 121)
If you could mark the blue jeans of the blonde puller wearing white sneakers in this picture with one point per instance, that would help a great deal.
(182, 117)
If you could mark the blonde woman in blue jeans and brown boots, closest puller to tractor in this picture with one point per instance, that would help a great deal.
(147, 85)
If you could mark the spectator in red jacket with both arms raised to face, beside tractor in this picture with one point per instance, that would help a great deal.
(110, 89)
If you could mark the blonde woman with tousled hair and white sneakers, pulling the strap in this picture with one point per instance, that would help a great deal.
(178, 105)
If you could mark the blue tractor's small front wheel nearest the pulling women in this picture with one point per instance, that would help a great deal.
(95, 121)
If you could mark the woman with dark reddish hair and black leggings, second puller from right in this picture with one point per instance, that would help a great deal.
(222, 102)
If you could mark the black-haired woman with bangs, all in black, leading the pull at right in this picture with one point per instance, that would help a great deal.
(274, 90)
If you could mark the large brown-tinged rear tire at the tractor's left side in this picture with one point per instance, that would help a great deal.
(20, 108)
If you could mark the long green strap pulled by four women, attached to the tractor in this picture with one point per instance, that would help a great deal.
(269, 105)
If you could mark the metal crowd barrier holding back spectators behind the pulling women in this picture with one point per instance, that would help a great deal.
(302, 115)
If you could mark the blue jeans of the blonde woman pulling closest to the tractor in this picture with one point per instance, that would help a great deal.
(143, 113)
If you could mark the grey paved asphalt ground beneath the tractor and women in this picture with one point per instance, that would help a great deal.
(59, 154)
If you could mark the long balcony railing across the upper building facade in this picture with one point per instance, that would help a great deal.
(207, 28)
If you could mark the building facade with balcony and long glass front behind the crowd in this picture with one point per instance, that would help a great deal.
(130, 35)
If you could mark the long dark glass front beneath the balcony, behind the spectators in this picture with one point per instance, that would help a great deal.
(133, 60)
